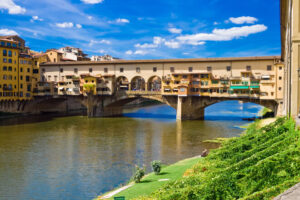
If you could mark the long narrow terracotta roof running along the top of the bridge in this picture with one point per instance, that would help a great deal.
(190, 60)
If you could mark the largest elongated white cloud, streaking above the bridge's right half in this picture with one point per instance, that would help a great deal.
(222, 34)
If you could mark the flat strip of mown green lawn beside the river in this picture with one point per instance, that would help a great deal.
(150, 183)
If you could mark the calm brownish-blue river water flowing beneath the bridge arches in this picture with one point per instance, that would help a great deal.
(80, 158)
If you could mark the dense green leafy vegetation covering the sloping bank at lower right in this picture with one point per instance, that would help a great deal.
(260, 164)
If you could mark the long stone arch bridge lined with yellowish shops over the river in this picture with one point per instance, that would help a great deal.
(188, 85)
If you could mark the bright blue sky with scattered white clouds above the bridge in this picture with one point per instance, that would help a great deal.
(147, 29)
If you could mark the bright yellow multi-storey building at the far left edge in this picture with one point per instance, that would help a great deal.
(9, 54)
